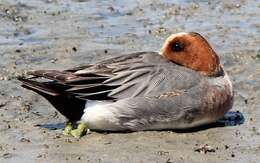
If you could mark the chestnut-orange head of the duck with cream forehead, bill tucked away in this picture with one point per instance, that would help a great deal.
(192, 51)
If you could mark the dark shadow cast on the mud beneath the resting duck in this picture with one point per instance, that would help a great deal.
(232, 118)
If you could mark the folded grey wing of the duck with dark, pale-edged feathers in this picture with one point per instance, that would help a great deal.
(133, 75)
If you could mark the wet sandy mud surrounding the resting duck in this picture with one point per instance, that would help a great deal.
(36, 34)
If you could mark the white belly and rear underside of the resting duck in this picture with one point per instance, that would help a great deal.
(102, 115)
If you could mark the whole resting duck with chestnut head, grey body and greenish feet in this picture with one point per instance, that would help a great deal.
(182, 86)
